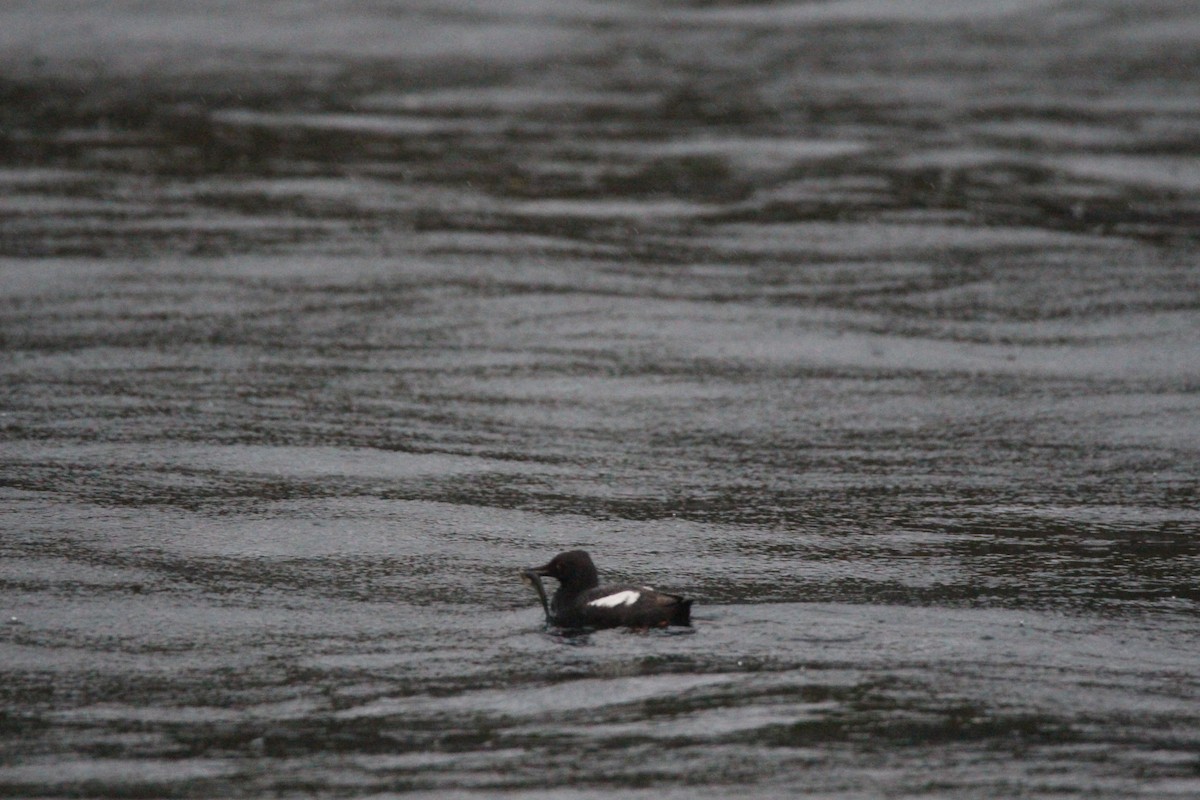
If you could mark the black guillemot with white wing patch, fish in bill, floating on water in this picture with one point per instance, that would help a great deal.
(583, 603)
